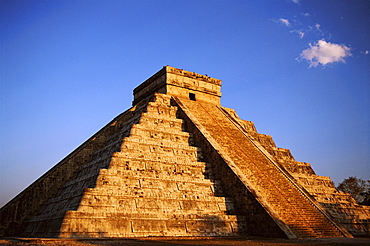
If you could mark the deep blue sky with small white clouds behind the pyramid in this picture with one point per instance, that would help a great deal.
(298, 69)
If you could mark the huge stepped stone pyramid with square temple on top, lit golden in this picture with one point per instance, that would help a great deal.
(179, 164)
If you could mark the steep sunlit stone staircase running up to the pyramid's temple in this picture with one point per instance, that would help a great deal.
(290, 207)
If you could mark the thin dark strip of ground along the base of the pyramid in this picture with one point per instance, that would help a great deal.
(216, 241)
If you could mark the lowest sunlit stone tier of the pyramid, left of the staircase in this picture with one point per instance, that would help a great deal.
(115, 225)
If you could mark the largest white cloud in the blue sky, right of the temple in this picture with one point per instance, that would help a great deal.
(324, 53)
